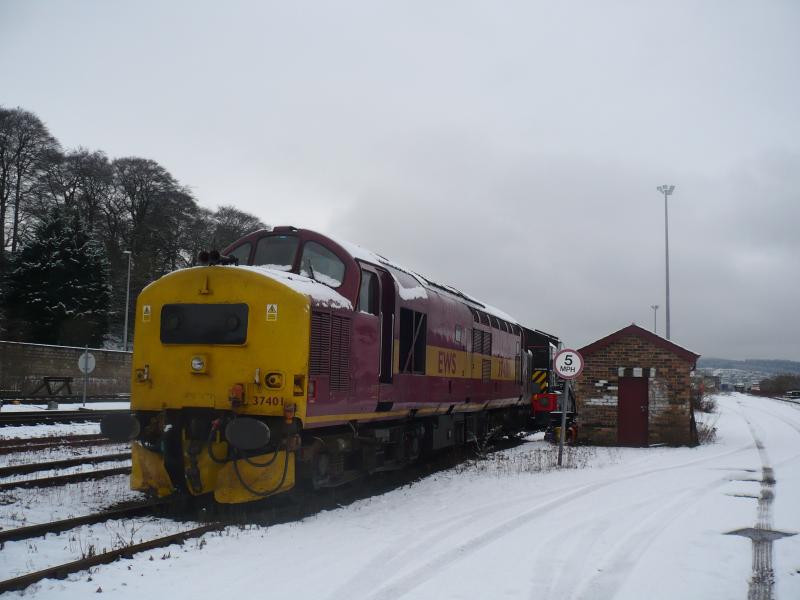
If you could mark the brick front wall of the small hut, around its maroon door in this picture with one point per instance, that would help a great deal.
(669, 391)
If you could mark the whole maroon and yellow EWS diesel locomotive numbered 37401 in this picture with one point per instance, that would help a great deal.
(293, 359)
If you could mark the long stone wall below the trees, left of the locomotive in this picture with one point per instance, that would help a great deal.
(22, 367)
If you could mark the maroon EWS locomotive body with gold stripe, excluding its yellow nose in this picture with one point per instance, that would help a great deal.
(397, 356)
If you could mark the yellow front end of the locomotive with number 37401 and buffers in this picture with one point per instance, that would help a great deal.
(220, 371)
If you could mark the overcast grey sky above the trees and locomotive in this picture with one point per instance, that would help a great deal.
(511, 149)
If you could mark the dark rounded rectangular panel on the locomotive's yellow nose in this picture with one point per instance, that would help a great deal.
(204, 324)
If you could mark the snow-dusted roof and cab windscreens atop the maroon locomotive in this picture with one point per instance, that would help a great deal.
(326, 269)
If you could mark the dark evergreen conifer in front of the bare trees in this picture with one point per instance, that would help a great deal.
(57, 291)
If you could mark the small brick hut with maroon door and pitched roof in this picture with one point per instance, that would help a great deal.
(635, 390)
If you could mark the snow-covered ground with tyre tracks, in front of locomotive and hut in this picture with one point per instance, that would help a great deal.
(623, 523)
